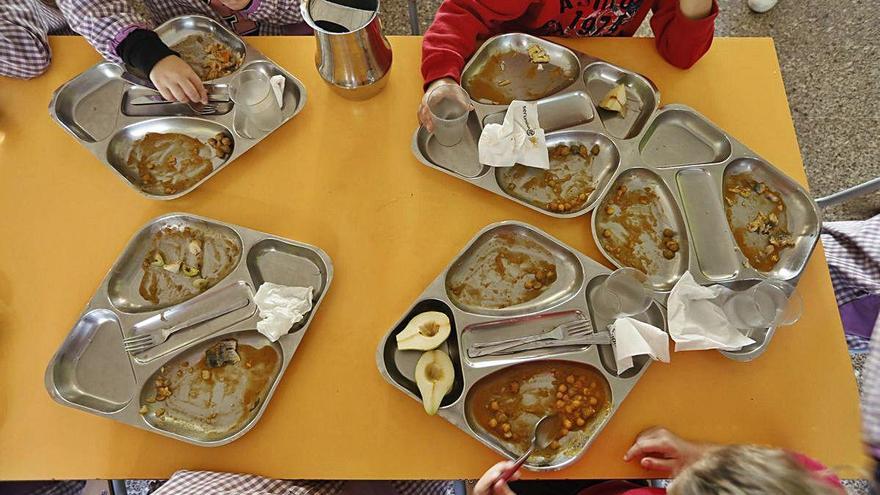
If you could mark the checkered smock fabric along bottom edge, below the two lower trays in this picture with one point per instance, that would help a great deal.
(210, 483)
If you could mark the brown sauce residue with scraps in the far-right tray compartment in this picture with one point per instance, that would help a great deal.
(758, 217)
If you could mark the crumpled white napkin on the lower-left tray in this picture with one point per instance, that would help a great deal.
(280, 307)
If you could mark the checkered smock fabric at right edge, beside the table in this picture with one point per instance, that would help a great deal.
(853, 253)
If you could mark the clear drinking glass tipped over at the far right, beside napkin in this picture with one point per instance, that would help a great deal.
(765, 304)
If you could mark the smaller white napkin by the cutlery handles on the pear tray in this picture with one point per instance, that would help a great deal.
(631, 337)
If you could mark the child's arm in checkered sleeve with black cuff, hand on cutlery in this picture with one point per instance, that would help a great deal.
(121, 34)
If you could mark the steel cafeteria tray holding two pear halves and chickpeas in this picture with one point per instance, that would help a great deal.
(567, 297)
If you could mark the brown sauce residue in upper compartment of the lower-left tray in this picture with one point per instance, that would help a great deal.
(161, 284)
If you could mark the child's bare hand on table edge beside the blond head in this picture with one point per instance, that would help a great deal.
(659, 449)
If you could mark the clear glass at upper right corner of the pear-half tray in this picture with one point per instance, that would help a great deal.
(624, 293)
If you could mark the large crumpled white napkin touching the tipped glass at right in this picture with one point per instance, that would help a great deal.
(696, 320)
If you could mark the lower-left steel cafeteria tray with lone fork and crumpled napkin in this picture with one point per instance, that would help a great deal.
(208, 405)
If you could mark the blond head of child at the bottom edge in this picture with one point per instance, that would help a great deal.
(748, 470)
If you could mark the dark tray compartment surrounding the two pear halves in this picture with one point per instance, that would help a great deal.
(401, 365)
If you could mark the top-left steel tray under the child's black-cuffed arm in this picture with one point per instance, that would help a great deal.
(95, 107)
